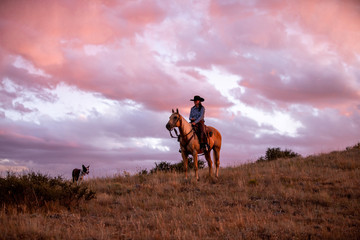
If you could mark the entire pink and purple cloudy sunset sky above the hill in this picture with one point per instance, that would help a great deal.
(94, 82)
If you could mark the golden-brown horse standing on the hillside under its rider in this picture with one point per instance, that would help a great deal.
(189, 143)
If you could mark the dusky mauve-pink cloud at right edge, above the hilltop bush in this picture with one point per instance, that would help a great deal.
(319, 87)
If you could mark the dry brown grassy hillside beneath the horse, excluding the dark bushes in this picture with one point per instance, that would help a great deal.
(317, 197)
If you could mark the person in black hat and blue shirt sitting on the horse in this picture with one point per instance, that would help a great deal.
(197, 114)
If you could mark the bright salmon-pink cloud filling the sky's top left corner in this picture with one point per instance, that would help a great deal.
(27, 30)
